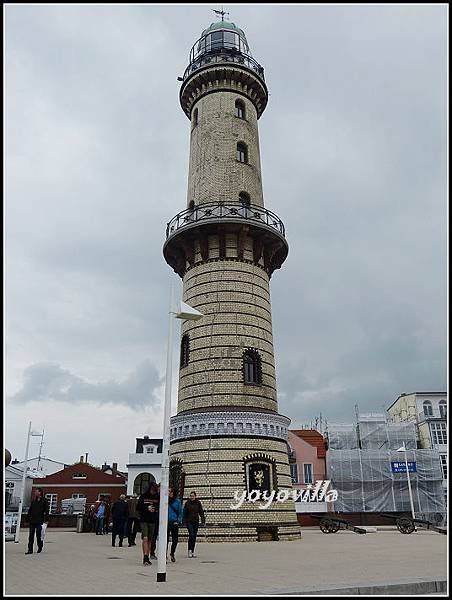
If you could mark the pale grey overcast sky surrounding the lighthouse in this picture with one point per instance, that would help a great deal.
(353, 148)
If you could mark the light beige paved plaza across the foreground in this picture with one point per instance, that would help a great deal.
(85, 564)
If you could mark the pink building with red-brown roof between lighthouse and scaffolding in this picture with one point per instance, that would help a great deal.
(307, 454)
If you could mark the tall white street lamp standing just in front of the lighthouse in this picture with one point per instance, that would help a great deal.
(185, 312)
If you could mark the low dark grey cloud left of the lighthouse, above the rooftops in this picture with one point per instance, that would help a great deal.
(45, 382)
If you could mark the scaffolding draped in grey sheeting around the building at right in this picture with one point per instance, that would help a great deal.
(360, 461)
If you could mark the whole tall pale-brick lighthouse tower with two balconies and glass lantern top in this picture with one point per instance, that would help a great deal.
(227, 436)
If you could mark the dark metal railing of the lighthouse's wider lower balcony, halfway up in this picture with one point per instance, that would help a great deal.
(214, 211)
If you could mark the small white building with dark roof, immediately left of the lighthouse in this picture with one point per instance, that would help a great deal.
(145, 465)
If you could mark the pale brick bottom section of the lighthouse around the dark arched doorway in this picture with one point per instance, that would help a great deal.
(217, 467)
